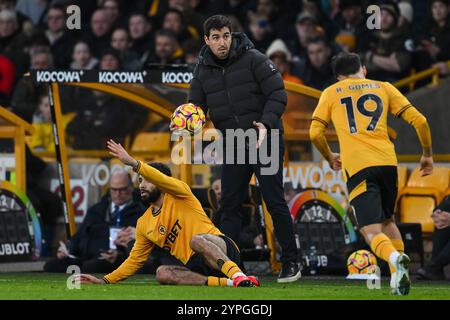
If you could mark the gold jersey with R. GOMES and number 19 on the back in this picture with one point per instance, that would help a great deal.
(358, 109)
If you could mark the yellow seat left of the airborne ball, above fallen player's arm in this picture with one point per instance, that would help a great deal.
(152, 142)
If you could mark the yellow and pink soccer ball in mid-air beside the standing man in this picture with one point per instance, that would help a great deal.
(188, 117)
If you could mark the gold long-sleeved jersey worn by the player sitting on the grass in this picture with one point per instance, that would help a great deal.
(179, 219)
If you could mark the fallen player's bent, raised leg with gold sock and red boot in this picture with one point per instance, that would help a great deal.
(221, 254)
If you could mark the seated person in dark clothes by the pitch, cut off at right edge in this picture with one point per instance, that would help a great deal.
(440, 256)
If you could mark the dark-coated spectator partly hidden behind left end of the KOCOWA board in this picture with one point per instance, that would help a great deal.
(26, 94)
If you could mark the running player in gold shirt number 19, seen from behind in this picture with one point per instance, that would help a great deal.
(358, 108)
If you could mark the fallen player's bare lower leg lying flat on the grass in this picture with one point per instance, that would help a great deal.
(178, 275)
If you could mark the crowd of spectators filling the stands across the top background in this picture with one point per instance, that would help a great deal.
(299, 36)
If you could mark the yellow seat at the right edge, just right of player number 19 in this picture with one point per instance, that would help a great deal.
(421, 195)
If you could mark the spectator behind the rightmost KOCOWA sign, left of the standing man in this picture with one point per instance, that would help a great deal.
(167, 49)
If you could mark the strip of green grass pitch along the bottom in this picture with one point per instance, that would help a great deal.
(37, 286)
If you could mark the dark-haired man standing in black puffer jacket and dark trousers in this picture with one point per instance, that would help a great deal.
(242, 89)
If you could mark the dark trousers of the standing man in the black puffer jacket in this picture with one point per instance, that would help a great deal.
(235, 180)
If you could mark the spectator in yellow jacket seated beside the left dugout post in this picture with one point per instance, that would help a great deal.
(42, 138)
